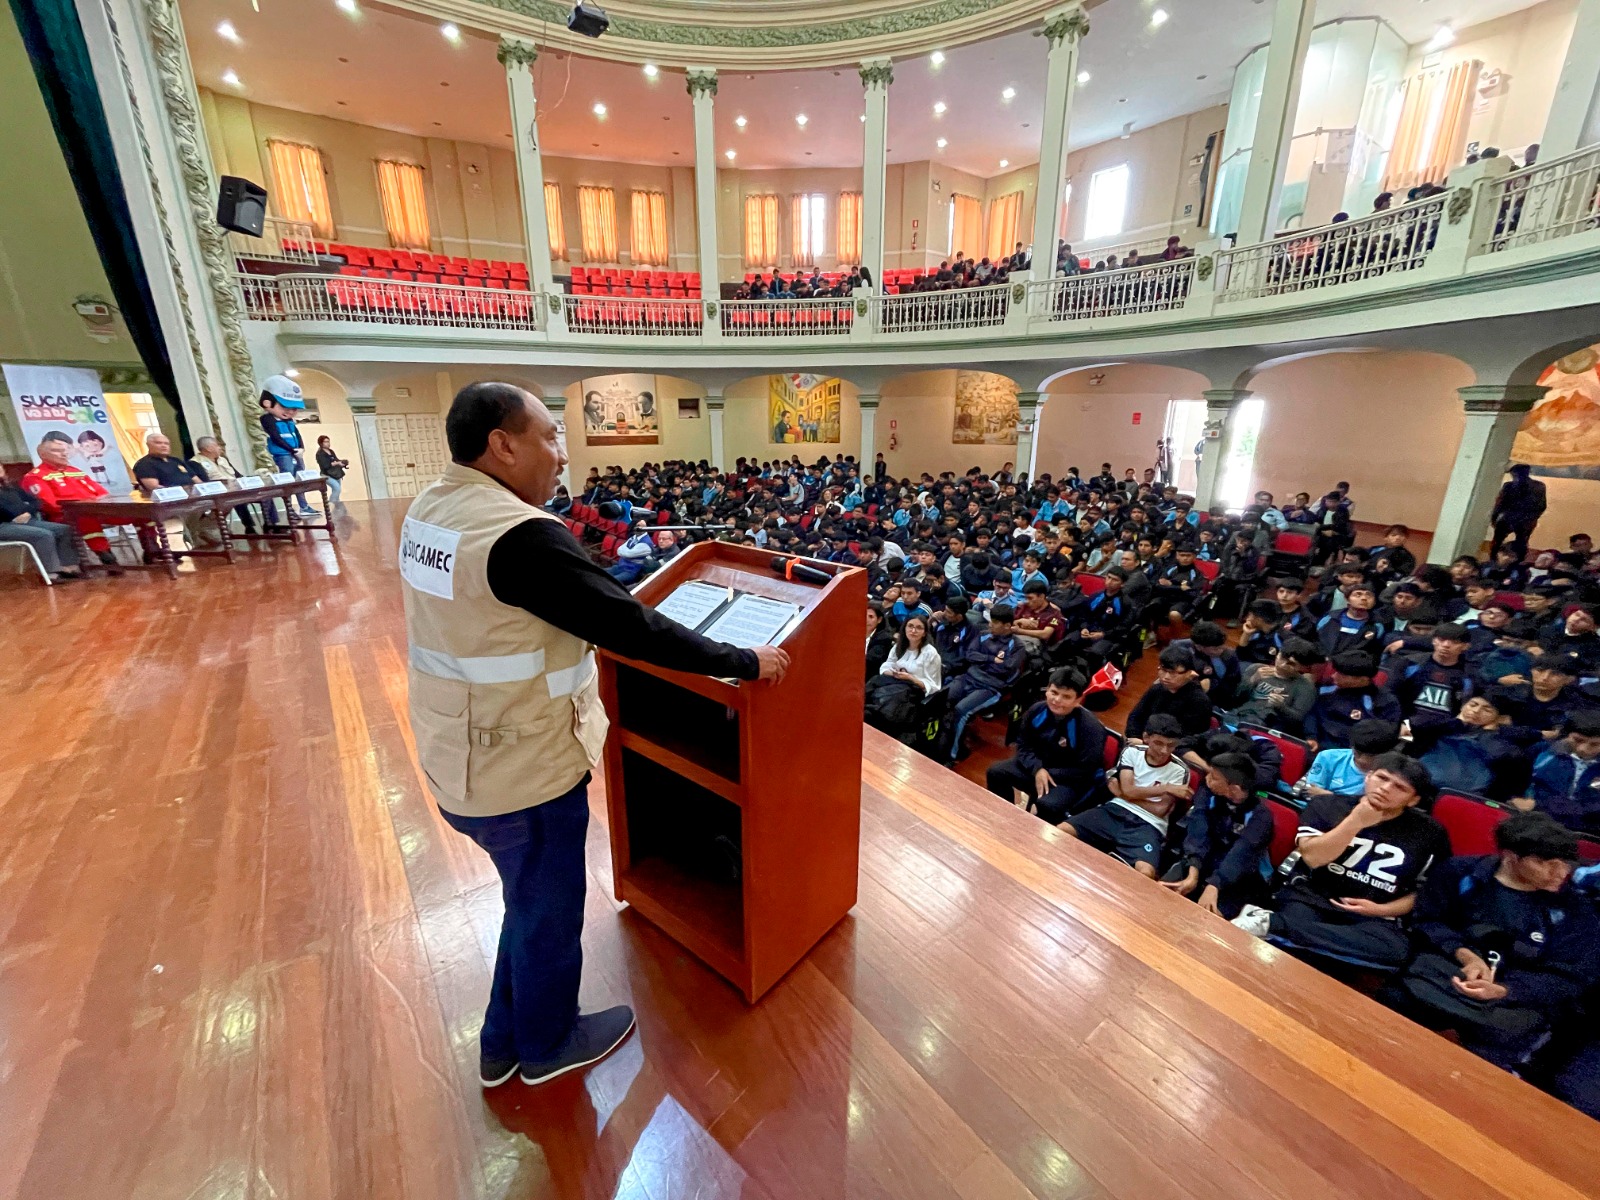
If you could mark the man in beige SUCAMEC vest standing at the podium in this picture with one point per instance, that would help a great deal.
(503, 615)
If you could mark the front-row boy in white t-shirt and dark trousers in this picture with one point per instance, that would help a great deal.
(1150, 780)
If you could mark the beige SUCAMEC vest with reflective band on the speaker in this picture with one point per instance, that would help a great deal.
(505, 708)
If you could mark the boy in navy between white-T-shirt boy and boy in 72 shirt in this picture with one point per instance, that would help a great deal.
(1228, 836)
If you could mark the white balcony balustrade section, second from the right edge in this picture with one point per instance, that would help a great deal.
(1383, 244)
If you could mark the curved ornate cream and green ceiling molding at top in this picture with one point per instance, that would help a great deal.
(783, 34)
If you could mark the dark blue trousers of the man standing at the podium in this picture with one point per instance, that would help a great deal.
(540, 857)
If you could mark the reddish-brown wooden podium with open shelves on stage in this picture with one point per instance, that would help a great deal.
(737, 807)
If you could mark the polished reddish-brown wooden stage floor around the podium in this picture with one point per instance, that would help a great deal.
(242, 958)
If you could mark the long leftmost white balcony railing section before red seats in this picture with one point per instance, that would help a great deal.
(351, 298)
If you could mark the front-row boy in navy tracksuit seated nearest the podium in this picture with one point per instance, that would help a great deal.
(1060, 759)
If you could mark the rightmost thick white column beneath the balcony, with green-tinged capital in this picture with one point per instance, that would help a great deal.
(1495, 414)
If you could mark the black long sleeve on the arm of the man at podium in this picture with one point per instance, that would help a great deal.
(540, 567)
